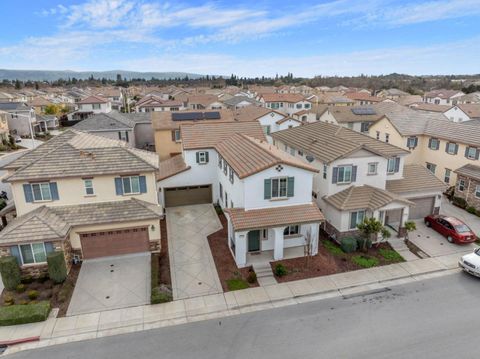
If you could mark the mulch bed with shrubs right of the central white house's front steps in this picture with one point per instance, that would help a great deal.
(326, 263)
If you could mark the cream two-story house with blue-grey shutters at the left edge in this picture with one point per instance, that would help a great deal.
(86, 195)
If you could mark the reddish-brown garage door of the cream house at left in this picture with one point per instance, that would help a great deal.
(115, 242)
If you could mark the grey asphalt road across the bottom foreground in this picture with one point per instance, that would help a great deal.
(436, 318)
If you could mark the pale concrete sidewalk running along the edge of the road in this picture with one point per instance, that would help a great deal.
(113, 322)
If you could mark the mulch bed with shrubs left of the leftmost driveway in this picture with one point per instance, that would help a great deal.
(59, 295)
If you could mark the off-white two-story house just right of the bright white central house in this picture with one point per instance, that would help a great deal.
(355, 172)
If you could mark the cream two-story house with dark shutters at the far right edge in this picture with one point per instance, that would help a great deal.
(434, 142)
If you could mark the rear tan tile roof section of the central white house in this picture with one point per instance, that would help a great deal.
(209, 134)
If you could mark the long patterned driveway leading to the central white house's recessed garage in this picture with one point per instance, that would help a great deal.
(191, 263)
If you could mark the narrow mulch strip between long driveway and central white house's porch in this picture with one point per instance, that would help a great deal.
(224, 262)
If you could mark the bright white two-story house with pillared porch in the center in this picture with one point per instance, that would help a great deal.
(264, 192)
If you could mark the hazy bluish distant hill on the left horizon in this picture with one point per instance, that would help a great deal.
(41, 75)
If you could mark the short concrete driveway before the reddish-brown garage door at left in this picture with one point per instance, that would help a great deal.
(111, 283)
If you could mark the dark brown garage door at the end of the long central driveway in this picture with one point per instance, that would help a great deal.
(184, 196)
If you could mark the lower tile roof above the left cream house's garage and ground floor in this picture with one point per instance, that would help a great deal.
(55, 222)
